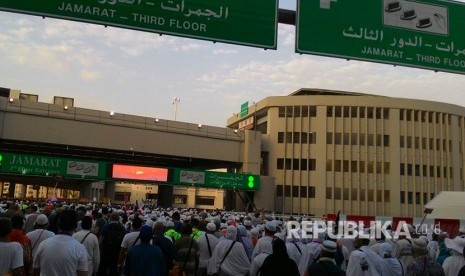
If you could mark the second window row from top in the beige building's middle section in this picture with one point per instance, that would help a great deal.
(355, 139)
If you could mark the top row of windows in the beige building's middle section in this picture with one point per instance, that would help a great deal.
(358, 112)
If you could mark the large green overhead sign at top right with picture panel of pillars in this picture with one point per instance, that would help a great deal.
(426, 34)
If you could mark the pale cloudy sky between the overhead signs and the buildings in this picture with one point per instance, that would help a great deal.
(140, 73)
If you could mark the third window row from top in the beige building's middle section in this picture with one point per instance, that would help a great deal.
(358, 166)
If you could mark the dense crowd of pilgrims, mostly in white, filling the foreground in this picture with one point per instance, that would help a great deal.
(75, 239)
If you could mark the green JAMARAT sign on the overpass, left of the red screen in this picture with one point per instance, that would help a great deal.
(51, 166)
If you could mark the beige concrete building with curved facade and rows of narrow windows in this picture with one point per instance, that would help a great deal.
(358, 153)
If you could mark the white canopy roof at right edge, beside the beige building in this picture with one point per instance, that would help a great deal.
(448, 205)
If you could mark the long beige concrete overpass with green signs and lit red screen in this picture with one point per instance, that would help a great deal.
(92, 145)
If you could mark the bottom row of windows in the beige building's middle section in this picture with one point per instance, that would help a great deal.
(364, 195)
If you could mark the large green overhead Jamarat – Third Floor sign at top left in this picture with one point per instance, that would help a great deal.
(245, 22)
